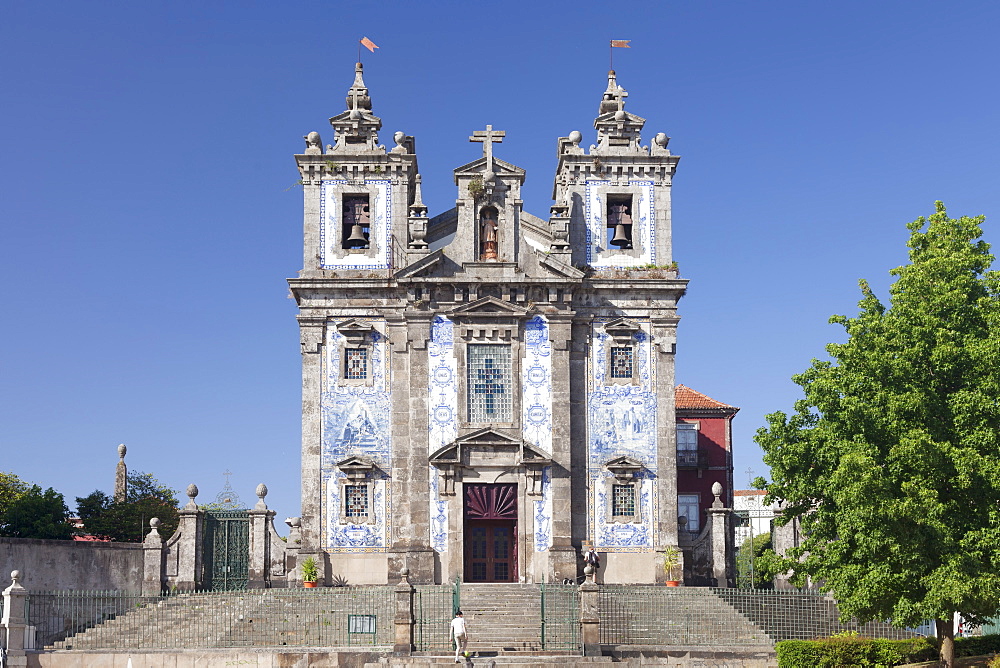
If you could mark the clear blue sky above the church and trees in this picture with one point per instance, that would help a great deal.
(149, 221)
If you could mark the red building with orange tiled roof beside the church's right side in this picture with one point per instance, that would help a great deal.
(704, 454)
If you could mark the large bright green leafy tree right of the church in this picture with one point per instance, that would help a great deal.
(892, 459)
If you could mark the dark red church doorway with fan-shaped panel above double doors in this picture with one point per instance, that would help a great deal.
(490, 532)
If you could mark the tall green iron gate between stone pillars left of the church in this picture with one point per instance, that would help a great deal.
(227, 549)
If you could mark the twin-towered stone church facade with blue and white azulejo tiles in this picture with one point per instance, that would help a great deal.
(487, 392)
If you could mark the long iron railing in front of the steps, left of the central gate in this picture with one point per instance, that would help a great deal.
(321, 617)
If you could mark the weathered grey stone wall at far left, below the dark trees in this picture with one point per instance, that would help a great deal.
(68, 564)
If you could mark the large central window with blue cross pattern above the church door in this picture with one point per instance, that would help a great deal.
(489, 394)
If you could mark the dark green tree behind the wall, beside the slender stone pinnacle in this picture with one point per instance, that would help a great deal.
(128, 521)
